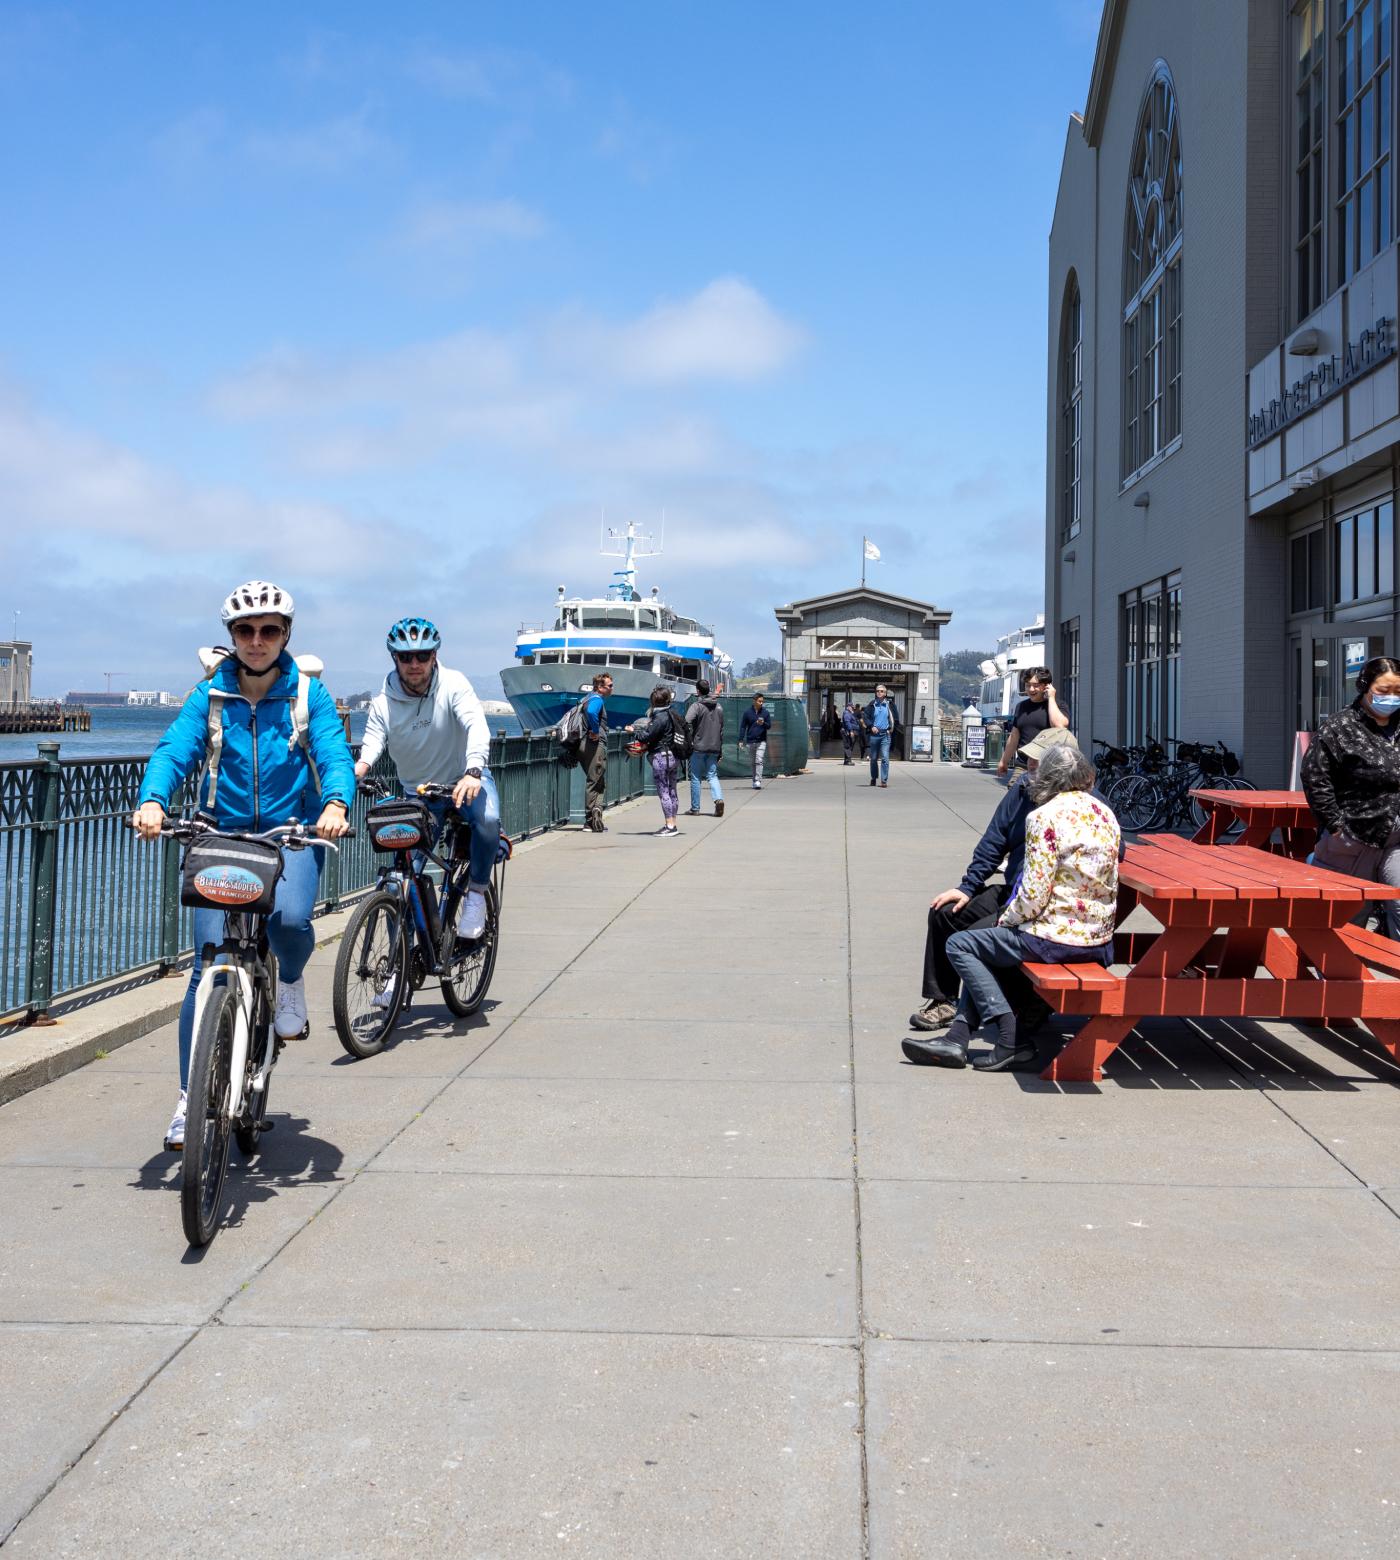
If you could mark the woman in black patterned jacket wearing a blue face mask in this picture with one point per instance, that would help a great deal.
(1352, 779)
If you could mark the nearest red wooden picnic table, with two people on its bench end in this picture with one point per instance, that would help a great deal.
(1246, 935)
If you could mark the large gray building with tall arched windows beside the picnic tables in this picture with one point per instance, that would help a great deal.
(1223, 395)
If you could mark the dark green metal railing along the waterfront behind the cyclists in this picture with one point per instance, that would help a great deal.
(84, 901)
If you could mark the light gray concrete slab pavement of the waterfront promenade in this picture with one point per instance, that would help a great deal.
(669, 1253)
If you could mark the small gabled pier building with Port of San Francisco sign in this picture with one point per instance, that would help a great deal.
(845, 645)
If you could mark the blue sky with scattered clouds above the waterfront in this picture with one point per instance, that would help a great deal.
(388, 305)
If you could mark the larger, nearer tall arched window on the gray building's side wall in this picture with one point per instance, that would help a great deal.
(1153, 282)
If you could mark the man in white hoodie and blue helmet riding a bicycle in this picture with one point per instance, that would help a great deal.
(435, 729)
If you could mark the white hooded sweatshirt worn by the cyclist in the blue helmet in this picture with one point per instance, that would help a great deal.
(433, 737)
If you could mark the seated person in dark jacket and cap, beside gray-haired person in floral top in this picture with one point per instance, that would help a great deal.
(978, 902)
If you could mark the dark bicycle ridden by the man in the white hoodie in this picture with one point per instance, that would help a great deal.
(405, 934)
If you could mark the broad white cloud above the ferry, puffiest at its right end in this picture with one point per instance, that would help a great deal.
(581, 391)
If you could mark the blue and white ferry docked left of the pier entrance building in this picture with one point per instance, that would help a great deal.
(639, 640)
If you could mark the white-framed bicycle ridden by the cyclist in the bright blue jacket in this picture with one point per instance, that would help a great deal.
(235, 1044)
